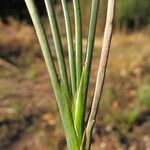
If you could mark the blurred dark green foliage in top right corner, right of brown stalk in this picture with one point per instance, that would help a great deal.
(133, 13)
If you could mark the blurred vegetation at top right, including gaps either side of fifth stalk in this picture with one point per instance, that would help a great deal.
(130, 14)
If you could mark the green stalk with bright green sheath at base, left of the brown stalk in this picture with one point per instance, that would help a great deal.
(81, 104)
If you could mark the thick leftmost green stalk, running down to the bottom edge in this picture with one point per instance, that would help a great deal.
(60, 96)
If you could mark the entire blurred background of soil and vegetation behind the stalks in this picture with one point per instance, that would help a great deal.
(29, 118)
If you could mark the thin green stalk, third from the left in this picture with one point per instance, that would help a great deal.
(70, 47)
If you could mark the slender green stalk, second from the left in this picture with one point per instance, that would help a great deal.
(57, 43)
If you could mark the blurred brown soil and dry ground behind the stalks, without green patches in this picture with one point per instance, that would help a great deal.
(29, 117)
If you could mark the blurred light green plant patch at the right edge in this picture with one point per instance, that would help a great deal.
(143, 95)
